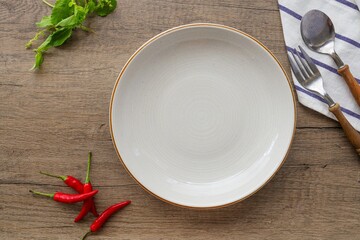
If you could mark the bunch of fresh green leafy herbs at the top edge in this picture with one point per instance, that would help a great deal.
(66, 16)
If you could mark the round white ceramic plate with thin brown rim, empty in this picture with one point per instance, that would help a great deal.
(202, 115)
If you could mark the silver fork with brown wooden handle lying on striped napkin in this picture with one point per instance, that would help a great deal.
(309, 77)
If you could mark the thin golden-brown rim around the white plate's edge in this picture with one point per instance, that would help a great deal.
(173, 30)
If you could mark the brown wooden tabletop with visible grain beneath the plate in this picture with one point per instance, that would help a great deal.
(50, 119)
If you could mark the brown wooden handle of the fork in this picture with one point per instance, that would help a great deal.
(350, 132)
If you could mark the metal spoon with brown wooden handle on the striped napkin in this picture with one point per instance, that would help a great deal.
(318, 33)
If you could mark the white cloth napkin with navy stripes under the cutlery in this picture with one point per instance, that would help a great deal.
(346, 18)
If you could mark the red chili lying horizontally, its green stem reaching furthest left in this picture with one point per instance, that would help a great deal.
(67, 198)
